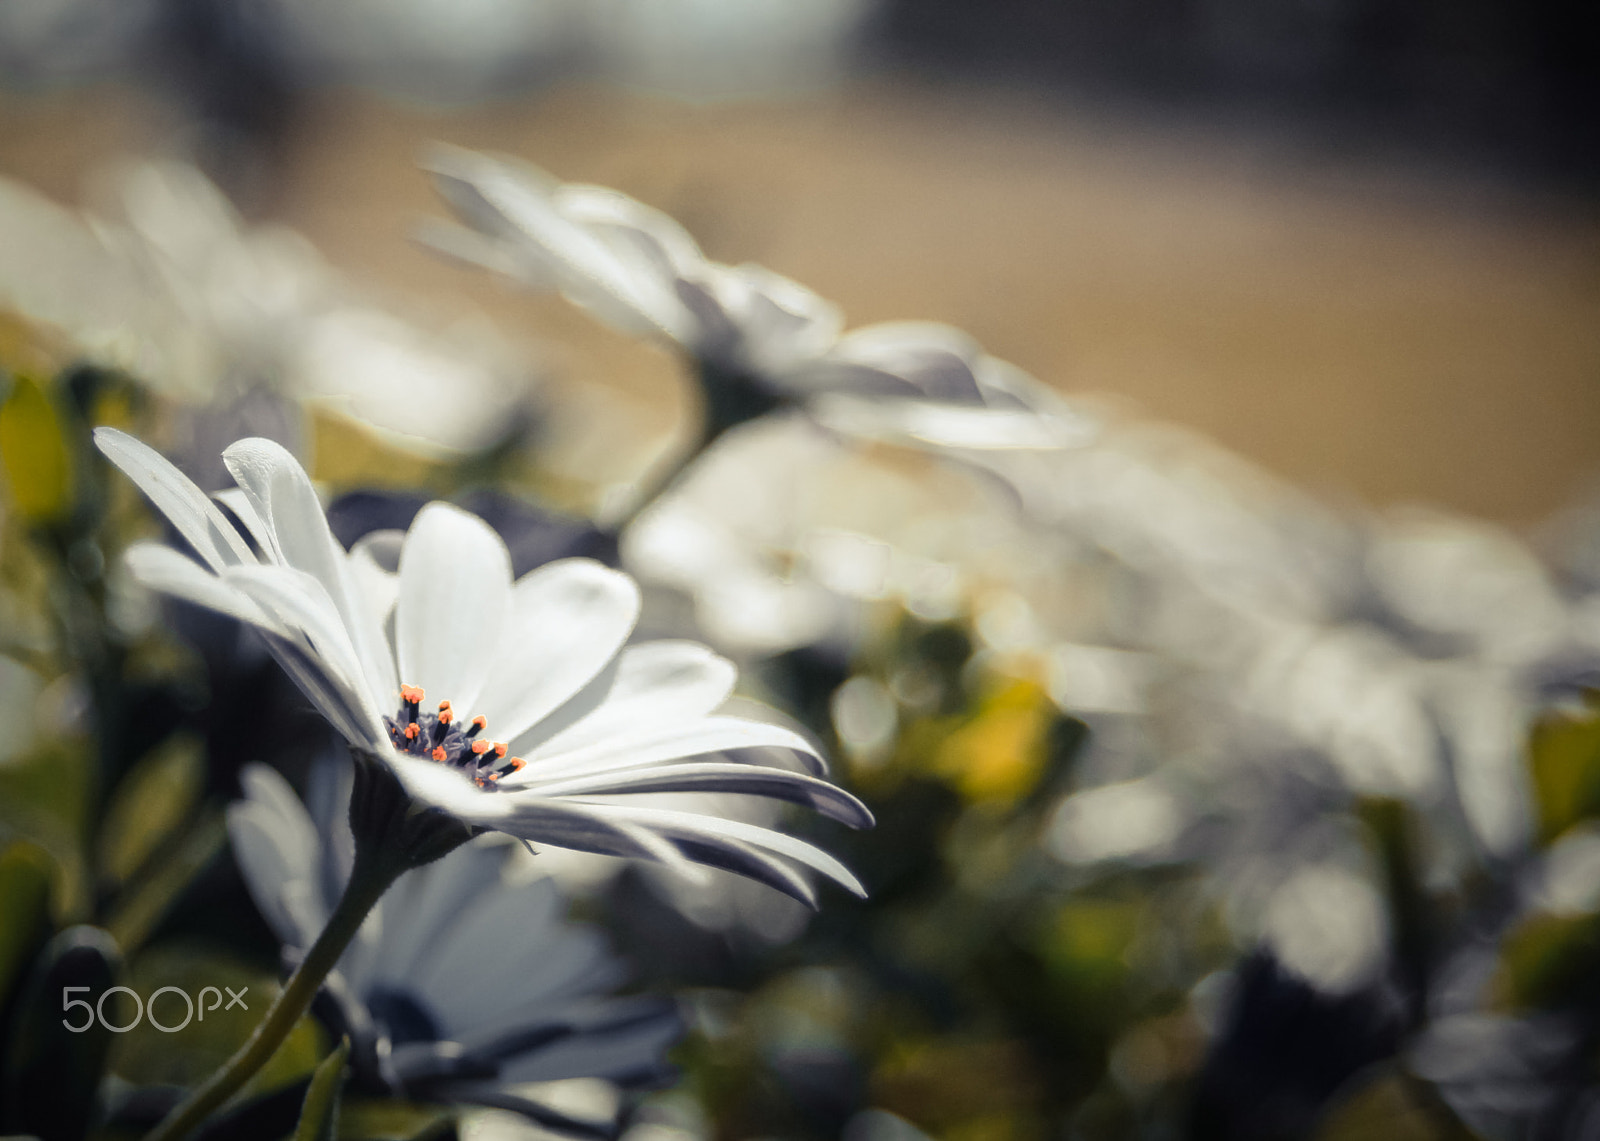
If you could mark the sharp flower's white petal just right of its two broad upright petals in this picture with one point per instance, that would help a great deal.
(654, 684)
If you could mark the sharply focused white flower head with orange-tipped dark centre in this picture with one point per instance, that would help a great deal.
(414, 668)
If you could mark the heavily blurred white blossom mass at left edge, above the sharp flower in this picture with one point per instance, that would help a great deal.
(204, 308)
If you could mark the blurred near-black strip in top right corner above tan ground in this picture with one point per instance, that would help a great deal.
(1516, 86)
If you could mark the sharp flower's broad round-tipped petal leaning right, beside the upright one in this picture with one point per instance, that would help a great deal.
(567, 622)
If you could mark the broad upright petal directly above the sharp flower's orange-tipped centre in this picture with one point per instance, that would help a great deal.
(455, 596)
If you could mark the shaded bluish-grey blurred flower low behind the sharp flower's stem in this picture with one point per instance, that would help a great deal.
(409, 991)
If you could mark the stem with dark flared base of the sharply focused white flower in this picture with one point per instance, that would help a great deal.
(391, 838)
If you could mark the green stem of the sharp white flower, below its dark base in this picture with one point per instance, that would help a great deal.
(370, 879)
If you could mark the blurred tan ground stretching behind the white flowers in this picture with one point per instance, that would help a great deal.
(1370, 329)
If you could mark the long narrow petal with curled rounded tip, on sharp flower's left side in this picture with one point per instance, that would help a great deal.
(286, 500)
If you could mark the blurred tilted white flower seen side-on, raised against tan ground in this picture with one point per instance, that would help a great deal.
(772, 338)
